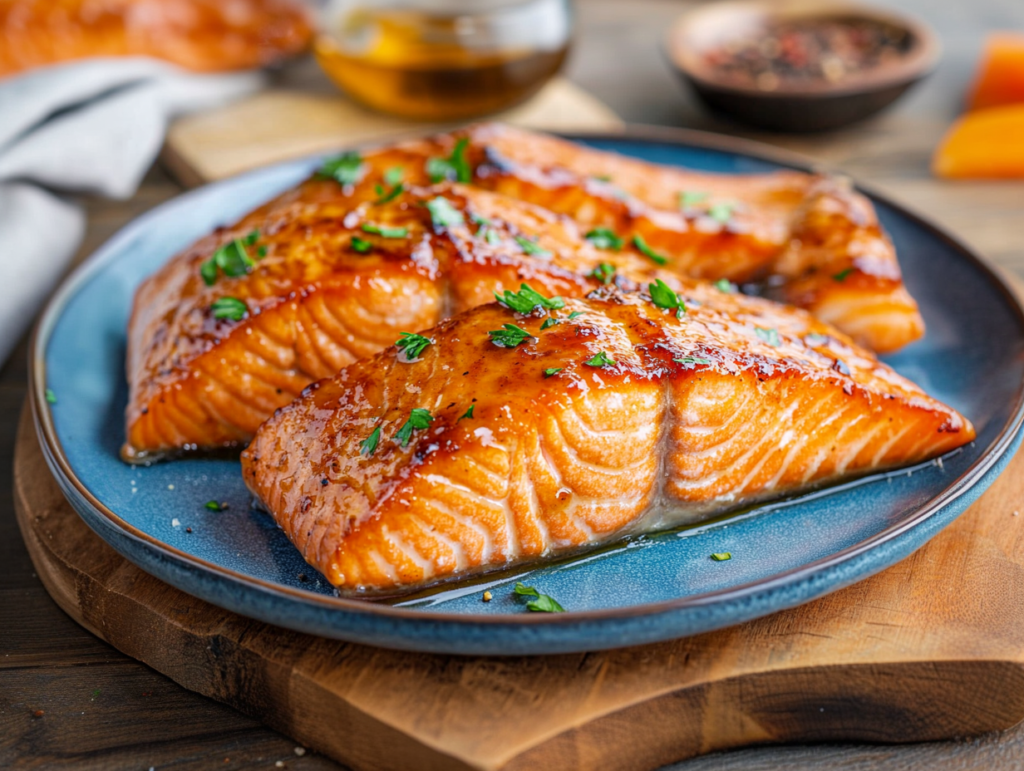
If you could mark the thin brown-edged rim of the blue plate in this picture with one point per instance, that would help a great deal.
(59, 463)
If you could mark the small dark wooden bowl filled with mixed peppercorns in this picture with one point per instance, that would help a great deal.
(797, 66)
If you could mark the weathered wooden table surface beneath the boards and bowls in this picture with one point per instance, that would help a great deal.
(70, 701)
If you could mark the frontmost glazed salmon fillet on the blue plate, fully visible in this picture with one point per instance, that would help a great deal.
(619, 414)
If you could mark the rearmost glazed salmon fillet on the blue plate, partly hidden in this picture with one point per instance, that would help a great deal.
(810, 240)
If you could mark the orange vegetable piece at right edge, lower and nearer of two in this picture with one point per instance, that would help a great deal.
(987, 144)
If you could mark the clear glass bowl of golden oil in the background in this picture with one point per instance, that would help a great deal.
(437, 60)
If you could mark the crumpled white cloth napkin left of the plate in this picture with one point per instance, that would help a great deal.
(92, 126)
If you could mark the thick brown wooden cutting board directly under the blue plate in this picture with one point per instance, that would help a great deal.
(931, 649)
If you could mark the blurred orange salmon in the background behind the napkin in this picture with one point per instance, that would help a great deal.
(201, 35)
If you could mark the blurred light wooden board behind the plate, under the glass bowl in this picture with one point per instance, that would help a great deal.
(275, 126)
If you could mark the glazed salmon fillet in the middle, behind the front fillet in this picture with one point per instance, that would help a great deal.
(322, 280)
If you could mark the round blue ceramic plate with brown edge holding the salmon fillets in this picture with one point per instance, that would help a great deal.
(649, 589)
